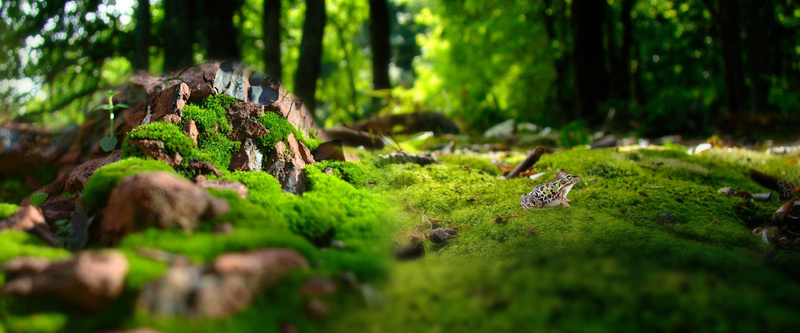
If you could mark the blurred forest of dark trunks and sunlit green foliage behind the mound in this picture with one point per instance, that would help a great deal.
(694, 67)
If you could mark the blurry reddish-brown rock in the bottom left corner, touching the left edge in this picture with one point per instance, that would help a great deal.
(91, 279)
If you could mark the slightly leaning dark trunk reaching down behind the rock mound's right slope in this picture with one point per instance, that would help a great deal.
(308, 65)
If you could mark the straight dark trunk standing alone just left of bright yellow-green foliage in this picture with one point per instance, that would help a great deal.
(379, 40)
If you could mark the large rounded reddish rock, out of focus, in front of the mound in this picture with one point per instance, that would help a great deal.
(157, 199)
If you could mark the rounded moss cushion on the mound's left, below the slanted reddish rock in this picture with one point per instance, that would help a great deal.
(172, 136)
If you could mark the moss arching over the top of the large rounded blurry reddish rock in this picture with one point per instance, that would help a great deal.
(99, 186)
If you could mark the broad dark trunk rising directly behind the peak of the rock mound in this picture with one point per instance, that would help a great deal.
(220, 32)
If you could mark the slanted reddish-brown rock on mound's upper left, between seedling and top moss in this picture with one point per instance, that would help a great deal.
(166, 105)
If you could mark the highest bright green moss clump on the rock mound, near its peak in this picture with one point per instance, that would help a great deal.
(210, 113)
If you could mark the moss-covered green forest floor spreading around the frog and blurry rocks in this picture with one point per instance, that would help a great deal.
(648, 244)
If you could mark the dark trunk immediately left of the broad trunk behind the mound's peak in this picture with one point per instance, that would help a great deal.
(178, 35)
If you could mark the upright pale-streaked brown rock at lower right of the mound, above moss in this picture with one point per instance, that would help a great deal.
(287, 165)
